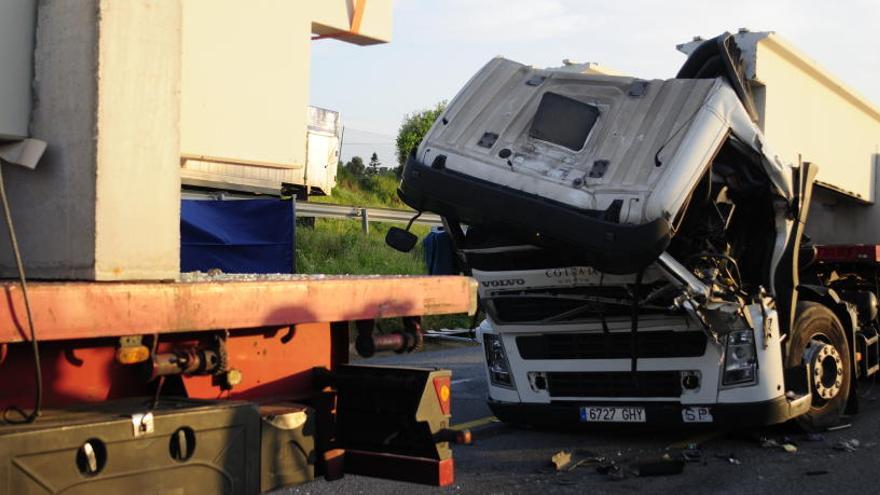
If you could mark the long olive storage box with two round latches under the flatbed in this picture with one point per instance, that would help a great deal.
(182, 446)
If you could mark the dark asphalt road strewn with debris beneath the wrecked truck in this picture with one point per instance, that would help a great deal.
(506, 459)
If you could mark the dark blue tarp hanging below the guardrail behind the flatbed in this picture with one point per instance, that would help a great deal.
(237, 236)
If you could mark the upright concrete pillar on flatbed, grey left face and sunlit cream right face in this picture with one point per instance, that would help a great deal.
(104, 202)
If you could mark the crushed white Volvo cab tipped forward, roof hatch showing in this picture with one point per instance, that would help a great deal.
(601, 164)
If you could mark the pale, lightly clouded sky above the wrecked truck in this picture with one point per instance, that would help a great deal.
(437, 45)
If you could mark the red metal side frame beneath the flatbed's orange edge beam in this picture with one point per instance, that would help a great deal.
(274, 363)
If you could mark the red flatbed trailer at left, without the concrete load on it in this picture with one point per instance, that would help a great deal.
(272, 353)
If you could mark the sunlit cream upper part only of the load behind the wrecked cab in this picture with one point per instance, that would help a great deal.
(808, 114)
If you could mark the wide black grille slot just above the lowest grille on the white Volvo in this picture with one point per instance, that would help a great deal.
(617, 345)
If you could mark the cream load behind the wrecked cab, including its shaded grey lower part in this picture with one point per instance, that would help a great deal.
(810, 115)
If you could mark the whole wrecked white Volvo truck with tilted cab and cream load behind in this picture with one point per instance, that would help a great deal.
(702, 249)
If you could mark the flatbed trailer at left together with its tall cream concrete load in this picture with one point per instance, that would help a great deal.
(119, 373)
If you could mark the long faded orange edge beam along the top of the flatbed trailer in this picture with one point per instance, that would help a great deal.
(79, 310)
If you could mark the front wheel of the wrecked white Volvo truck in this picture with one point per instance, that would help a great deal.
(819, 343)
